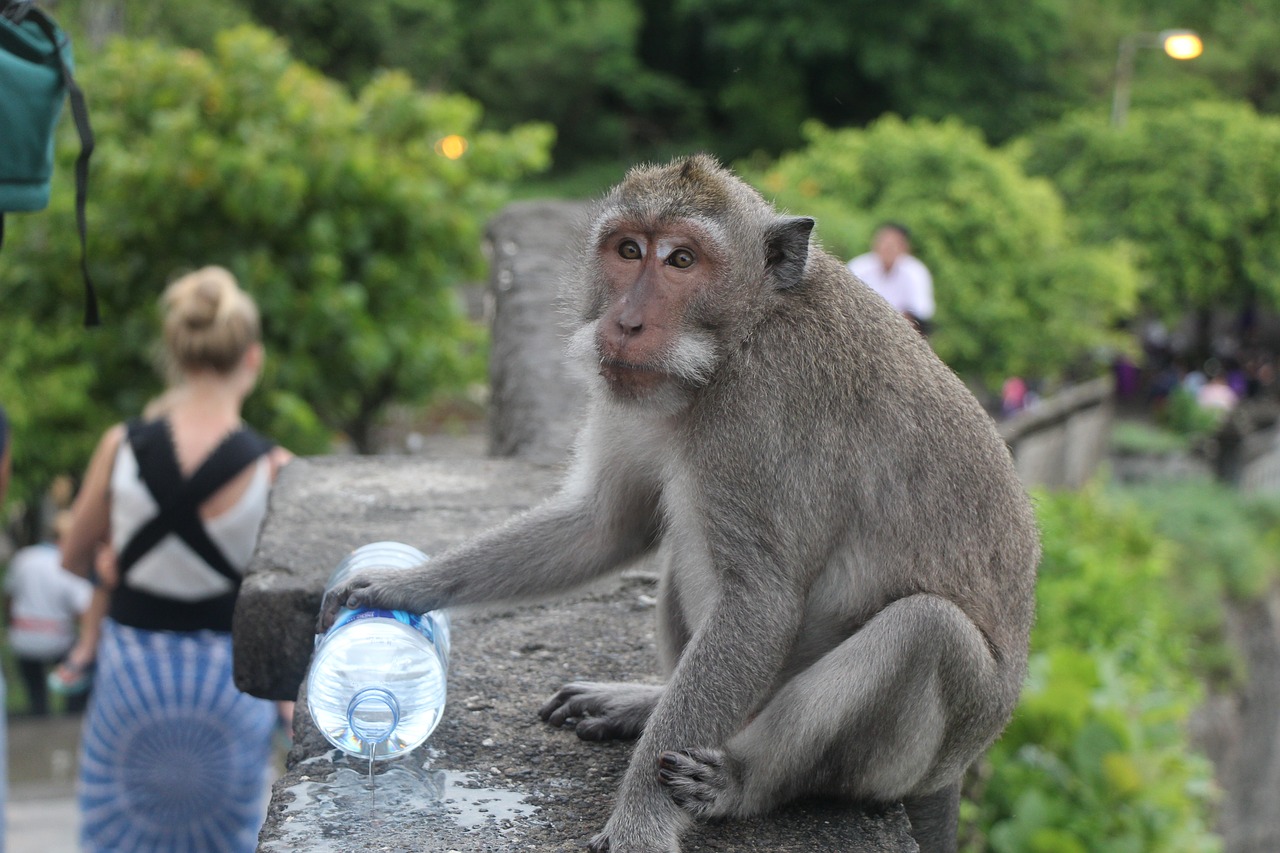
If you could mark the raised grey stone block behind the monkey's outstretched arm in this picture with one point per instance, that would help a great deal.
(322, 509)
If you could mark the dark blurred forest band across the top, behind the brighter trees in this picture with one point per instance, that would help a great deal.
(625, 79)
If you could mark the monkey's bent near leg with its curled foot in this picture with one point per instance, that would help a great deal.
(899, 710)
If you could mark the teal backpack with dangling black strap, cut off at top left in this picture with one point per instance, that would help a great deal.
(35, 79)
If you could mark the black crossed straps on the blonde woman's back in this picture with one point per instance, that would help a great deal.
(180, 499)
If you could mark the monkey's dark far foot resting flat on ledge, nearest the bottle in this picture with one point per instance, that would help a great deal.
(604, 710)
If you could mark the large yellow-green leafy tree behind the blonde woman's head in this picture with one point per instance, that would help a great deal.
(335, 212)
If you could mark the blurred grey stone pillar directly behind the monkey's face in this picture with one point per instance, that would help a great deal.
(536, 398)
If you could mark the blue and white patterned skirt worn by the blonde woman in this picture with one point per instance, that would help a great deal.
(173, 758)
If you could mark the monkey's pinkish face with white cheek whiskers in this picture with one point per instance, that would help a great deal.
(653, 281)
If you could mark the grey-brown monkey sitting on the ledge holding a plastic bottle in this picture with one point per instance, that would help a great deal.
(847, 554)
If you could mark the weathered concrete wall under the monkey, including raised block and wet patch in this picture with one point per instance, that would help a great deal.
(493, 777)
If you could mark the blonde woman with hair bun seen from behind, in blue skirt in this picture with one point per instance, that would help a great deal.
(173, 758)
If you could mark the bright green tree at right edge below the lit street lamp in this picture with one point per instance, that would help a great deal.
(1206, 223)
